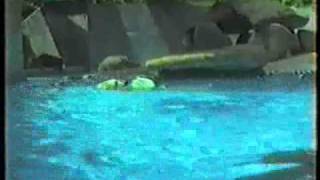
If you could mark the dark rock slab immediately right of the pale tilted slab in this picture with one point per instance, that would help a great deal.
(174, 20)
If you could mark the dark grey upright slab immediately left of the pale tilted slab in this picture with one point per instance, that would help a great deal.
(107, 35)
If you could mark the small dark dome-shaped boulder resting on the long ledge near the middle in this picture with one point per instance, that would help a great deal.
(204, 37)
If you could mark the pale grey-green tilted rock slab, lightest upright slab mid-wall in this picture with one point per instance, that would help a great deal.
(143, 34)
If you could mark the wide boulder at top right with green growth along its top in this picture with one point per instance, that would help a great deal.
(230, 14)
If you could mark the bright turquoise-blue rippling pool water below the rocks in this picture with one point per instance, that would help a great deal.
(78, 132)
